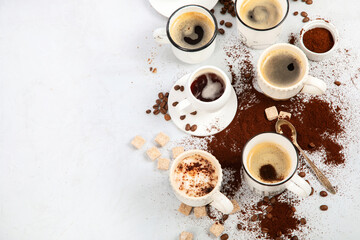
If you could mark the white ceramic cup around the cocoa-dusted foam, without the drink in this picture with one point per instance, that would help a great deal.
(215, 198)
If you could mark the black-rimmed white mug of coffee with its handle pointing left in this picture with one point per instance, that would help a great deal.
(191, 30)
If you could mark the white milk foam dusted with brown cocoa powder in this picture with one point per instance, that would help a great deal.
(195, 176)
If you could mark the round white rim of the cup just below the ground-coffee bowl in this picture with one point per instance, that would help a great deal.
(297, 49)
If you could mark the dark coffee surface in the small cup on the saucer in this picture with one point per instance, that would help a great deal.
(208, 87)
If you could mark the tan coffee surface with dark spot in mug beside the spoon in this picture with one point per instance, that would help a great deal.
(269, 162)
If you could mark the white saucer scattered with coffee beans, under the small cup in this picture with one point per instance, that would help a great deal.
(208, 123)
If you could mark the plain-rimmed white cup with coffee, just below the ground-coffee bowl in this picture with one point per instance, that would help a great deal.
(283, 72)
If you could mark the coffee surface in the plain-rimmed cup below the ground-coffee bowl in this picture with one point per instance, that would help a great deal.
(282, 68)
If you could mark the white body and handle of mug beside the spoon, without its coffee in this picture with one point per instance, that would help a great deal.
(292, 182)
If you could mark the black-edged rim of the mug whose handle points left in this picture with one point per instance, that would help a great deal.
(195, 49)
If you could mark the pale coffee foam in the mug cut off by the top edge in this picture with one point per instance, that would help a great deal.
(261, 14)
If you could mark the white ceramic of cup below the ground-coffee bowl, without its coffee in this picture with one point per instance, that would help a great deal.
(307, 83)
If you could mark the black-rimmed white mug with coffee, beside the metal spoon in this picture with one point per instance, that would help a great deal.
(270, 164)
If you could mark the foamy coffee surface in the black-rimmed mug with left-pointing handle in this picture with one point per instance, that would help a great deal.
(192, 30)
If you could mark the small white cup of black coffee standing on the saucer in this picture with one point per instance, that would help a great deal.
(208, 89)
